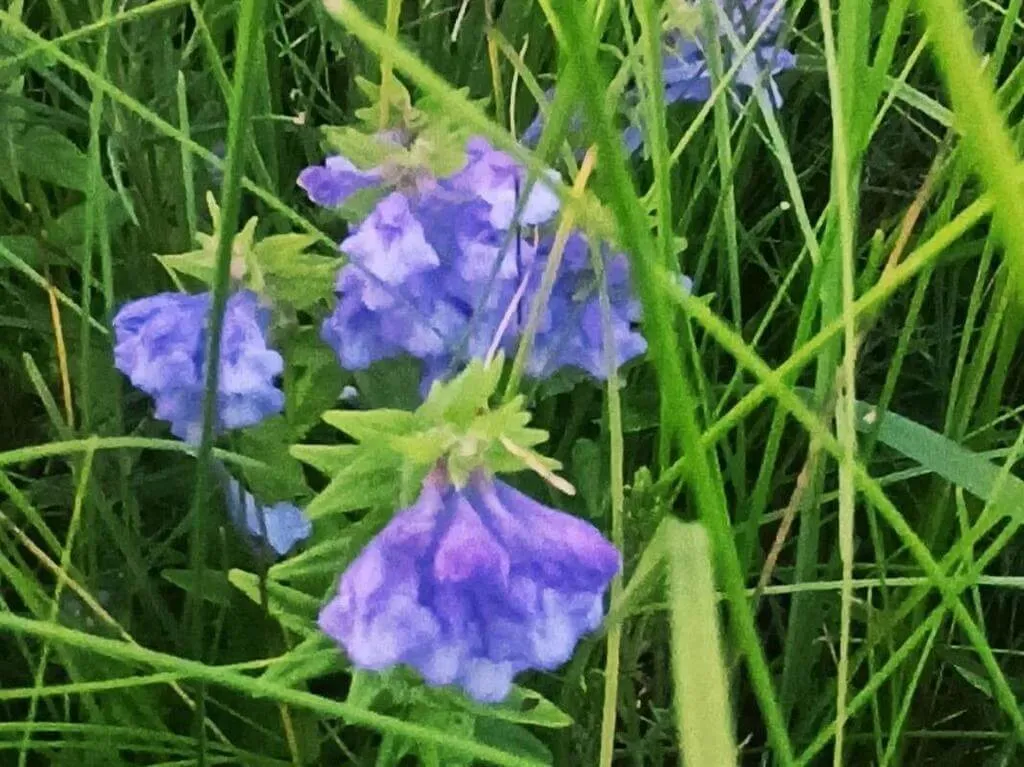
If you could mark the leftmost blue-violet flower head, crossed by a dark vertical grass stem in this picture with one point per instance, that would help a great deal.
(161, 347)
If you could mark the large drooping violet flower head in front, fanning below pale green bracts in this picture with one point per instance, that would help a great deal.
(472, 587)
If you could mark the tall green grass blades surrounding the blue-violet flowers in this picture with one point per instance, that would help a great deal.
(834, 414)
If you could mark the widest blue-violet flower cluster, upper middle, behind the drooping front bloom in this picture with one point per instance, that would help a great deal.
(441, 272)
